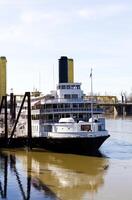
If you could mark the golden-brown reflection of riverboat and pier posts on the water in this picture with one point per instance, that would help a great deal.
(42, 175)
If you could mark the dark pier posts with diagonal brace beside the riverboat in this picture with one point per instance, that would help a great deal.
(7, 140)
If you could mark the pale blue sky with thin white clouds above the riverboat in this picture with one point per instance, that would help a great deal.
(97, 34)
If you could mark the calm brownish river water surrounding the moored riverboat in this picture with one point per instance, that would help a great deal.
(38, 175)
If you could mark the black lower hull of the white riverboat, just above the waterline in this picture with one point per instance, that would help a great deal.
(67, 145)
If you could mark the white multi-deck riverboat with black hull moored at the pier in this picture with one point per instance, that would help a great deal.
(65, 120)
